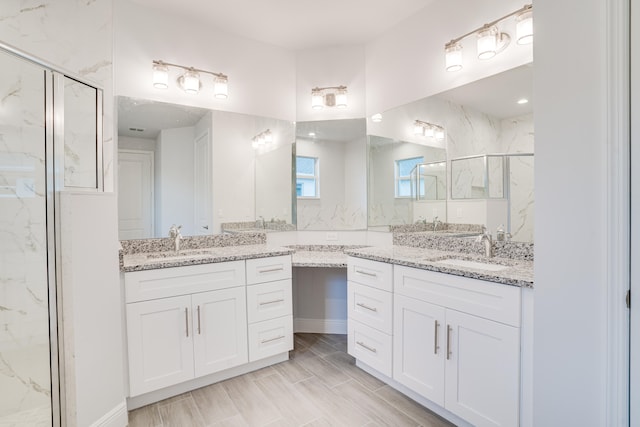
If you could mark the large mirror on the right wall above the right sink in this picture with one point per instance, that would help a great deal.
(480, 136)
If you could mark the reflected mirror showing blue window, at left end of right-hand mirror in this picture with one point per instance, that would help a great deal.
(393, 198)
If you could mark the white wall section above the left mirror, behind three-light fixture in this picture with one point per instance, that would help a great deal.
(261, 76)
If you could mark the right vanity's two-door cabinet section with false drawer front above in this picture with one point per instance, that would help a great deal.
(457, 343)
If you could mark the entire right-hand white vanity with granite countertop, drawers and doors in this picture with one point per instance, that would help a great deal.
(452, 343)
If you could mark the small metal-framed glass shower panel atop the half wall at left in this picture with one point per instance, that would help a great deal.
(80, 135)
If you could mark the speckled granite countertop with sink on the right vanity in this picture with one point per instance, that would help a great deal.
(517, 273)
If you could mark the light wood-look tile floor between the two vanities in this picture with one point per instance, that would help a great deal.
(319, 386)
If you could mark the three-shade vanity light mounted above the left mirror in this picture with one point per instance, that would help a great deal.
(189, 80)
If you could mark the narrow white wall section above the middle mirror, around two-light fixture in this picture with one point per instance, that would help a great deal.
(326, 67)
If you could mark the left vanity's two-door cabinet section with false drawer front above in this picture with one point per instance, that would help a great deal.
(183, 331)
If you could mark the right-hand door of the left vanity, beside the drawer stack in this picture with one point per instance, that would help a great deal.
(220, 330)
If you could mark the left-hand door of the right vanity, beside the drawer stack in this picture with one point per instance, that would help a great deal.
(419, 347)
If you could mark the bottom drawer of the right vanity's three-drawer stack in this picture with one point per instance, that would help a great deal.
(370, 346)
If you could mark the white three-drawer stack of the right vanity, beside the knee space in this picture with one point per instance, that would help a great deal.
(369, 313)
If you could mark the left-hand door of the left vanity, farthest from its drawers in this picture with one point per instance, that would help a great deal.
(160, 345)
